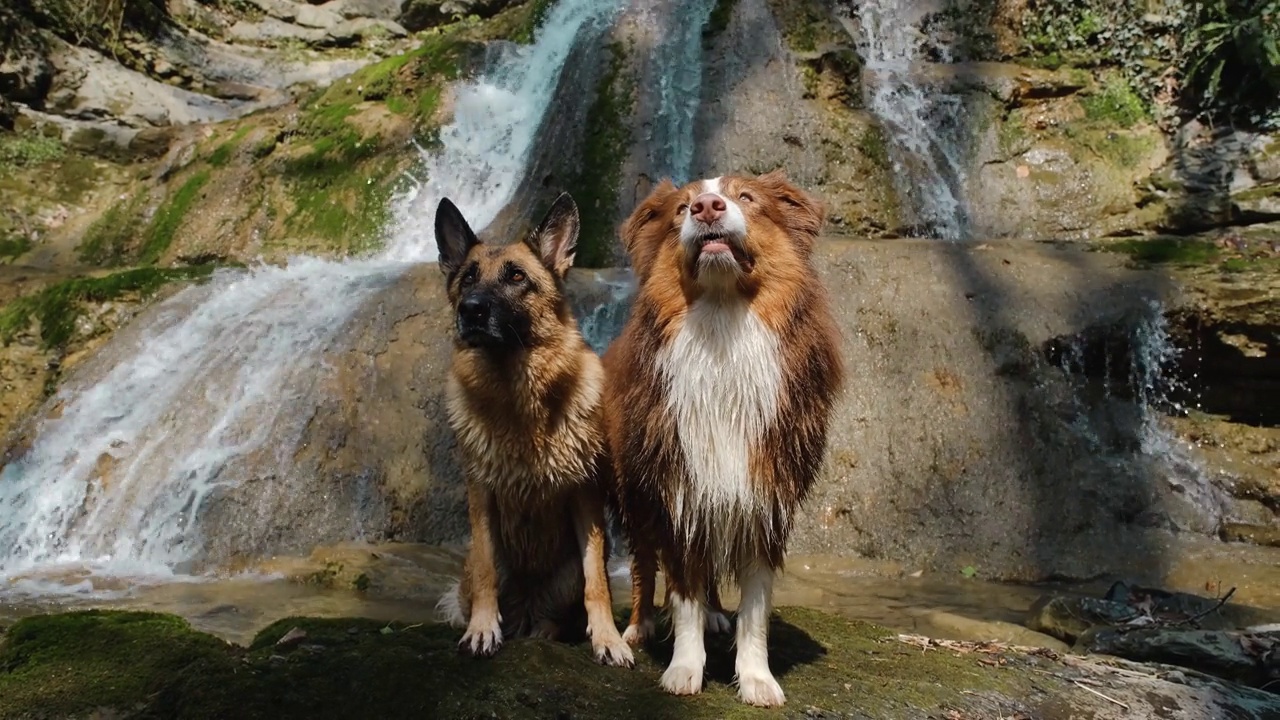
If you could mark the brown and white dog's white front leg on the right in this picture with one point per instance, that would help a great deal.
(756, 683)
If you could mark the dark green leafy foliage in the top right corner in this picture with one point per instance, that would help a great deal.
(1233, 60)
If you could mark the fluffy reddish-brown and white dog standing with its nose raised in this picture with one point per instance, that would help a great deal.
(717, 400)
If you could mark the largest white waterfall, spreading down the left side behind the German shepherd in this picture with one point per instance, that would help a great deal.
(116, 482)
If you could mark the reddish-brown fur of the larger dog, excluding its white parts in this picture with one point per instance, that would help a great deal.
(784, 291)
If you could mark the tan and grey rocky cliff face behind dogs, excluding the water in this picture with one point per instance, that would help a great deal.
(148, 147)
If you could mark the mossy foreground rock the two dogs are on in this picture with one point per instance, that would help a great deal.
(346, 668)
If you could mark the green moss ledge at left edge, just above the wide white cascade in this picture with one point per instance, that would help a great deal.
(58, 307)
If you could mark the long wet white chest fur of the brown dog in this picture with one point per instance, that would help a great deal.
(724, 376)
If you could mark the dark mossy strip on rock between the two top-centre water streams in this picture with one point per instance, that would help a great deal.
(609, 140)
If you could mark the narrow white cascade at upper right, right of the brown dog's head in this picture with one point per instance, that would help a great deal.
(922, 124)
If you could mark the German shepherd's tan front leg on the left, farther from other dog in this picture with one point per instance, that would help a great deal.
(484, 630)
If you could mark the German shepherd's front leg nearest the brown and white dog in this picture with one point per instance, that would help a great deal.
(589, 522)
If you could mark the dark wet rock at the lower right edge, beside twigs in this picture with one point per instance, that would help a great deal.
(1252, 659)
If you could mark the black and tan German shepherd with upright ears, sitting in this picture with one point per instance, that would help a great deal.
(524, 402)
